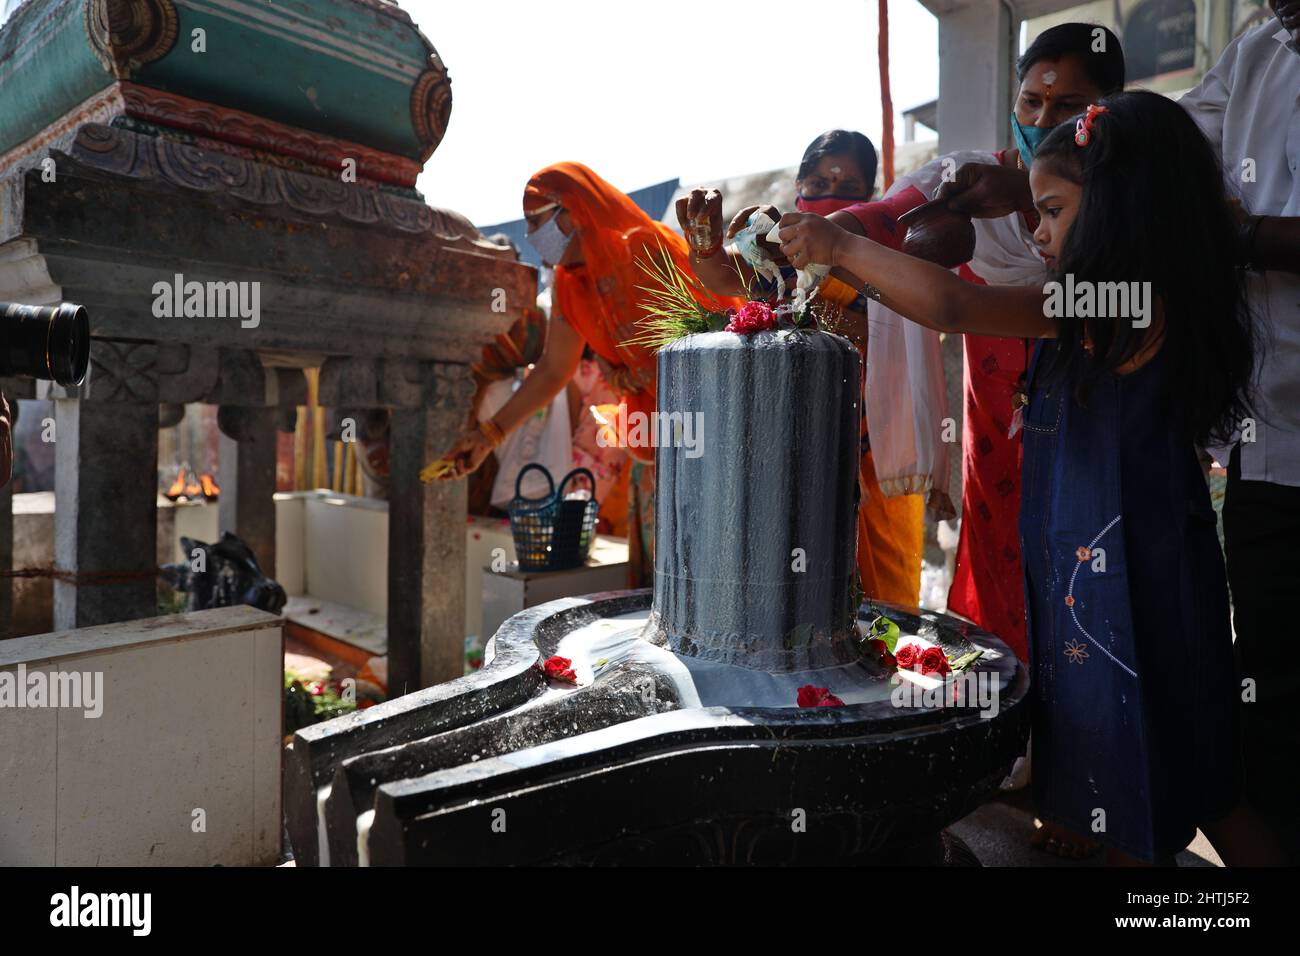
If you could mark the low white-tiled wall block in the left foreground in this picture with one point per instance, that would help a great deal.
(192, 721)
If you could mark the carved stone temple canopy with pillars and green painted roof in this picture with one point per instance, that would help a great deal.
(271, 150)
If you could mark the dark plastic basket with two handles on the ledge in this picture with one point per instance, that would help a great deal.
(552, 534)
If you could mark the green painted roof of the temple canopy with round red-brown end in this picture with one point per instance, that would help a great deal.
(358, 72)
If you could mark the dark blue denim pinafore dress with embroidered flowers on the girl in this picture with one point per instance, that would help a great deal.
(1130, 641)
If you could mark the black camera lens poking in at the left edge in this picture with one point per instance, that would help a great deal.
(49, 343)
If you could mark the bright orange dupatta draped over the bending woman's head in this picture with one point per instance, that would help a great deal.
(601, 297)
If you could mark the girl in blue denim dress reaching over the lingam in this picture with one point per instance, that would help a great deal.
(1145, 354)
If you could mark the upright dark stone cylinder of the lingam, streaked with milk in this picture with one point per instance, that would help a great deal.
(753, 565)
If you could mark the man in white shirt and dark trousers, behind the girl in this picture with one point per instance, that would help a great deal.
(1249, 107)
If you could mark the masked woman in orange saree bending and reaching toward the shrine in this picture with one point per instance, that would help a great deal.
(593, 236)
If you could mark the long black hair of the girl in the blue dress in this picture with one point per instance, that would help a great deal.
(1155, 210)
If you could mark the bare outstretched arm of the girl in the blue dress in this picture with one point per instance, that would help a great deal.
(926, 293)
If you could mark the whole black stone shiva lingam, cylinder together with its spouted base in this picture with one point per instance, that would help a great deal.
(671, 729)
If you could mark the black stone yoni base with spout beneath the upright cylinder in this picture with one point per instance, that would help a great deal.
(502, 768)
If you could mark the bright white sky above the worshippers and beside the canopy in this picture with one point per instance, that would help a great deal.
(643, 93)
